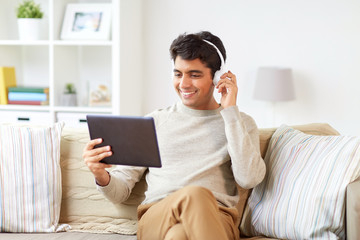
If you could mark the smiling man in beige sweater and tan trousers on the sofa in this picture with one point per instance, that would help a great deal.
(206, 148)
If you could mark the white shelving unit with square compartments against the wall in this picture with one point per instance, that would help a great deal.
(52, 62)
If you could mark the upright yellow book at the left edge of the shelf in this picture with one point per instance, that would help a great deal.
(7, 79)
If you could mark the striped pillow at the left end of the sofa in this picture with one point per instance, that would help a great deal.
(30, 178)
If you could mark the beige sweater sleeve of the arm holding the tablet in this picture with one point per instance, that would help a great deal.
(122, 181)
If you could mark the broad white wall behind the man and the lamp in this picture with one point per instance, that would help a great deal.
(319, 40)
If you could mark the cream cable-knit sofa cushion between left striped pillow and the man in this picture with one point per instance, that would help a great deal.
(83, 206)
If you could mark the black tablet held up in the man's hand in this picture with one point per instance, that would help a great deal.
(133, 140)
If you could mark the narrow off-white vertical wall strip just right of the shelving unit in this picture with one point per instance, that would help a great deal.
(131, 54)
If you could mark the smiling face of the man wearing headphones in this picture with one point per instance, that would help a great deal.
(193, 83)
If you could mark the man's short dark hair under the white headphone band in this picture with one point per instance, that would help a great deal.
(192, 46)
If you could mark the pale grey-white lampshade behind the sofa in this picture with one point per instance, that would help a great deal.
(274, 84)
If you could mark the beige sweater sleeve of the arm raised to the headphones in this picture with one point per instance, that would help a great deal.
(244, 147)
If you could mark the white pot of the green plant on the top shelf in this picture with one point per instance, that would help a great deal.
(29, 28)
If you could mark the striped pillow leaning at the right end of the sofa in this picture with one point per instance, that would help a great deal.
(303, 193)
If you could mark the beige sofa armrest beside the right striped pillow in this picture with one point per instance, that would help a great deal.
(353, 210)
